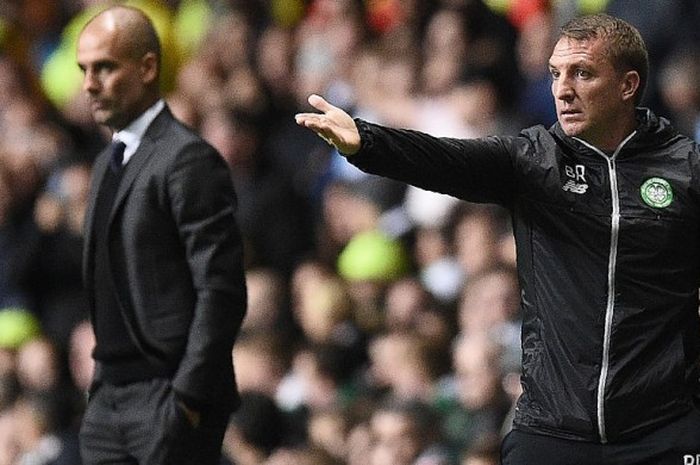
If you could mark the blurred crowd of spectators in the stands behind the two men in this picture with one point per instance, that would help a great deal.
(383, 321)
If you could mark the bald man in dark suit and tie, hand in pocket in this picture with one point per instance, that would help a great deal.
(162, 264)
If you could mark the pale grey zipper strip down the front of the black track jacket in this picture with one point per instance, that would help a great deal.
(612, 263)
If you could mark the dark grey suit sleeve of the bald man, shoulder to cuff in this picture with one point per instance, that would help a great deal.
(203, 203)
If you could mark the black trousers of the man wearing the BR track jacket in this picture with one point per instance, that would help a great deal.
(677, 443)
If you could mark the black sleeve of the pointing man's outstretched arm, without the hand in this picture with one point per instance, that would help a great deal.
(477, 170)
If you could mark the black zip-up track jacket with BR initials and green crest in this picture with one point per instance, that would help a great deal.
(608, 250)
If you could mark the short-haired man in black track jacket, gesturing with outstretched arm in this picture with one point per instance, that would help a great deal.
(606, 215)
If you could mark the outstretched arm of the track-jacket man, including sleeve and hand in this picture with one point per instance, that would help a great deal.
(477, 170)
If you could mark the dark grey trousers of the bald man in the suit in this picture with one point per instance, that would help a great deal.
(141, 424)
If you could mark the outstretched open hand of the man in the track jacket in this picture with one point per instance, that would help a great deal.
(333, 125)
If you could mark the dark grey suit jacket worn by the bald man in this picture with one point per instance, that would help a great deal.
(176, 259)
